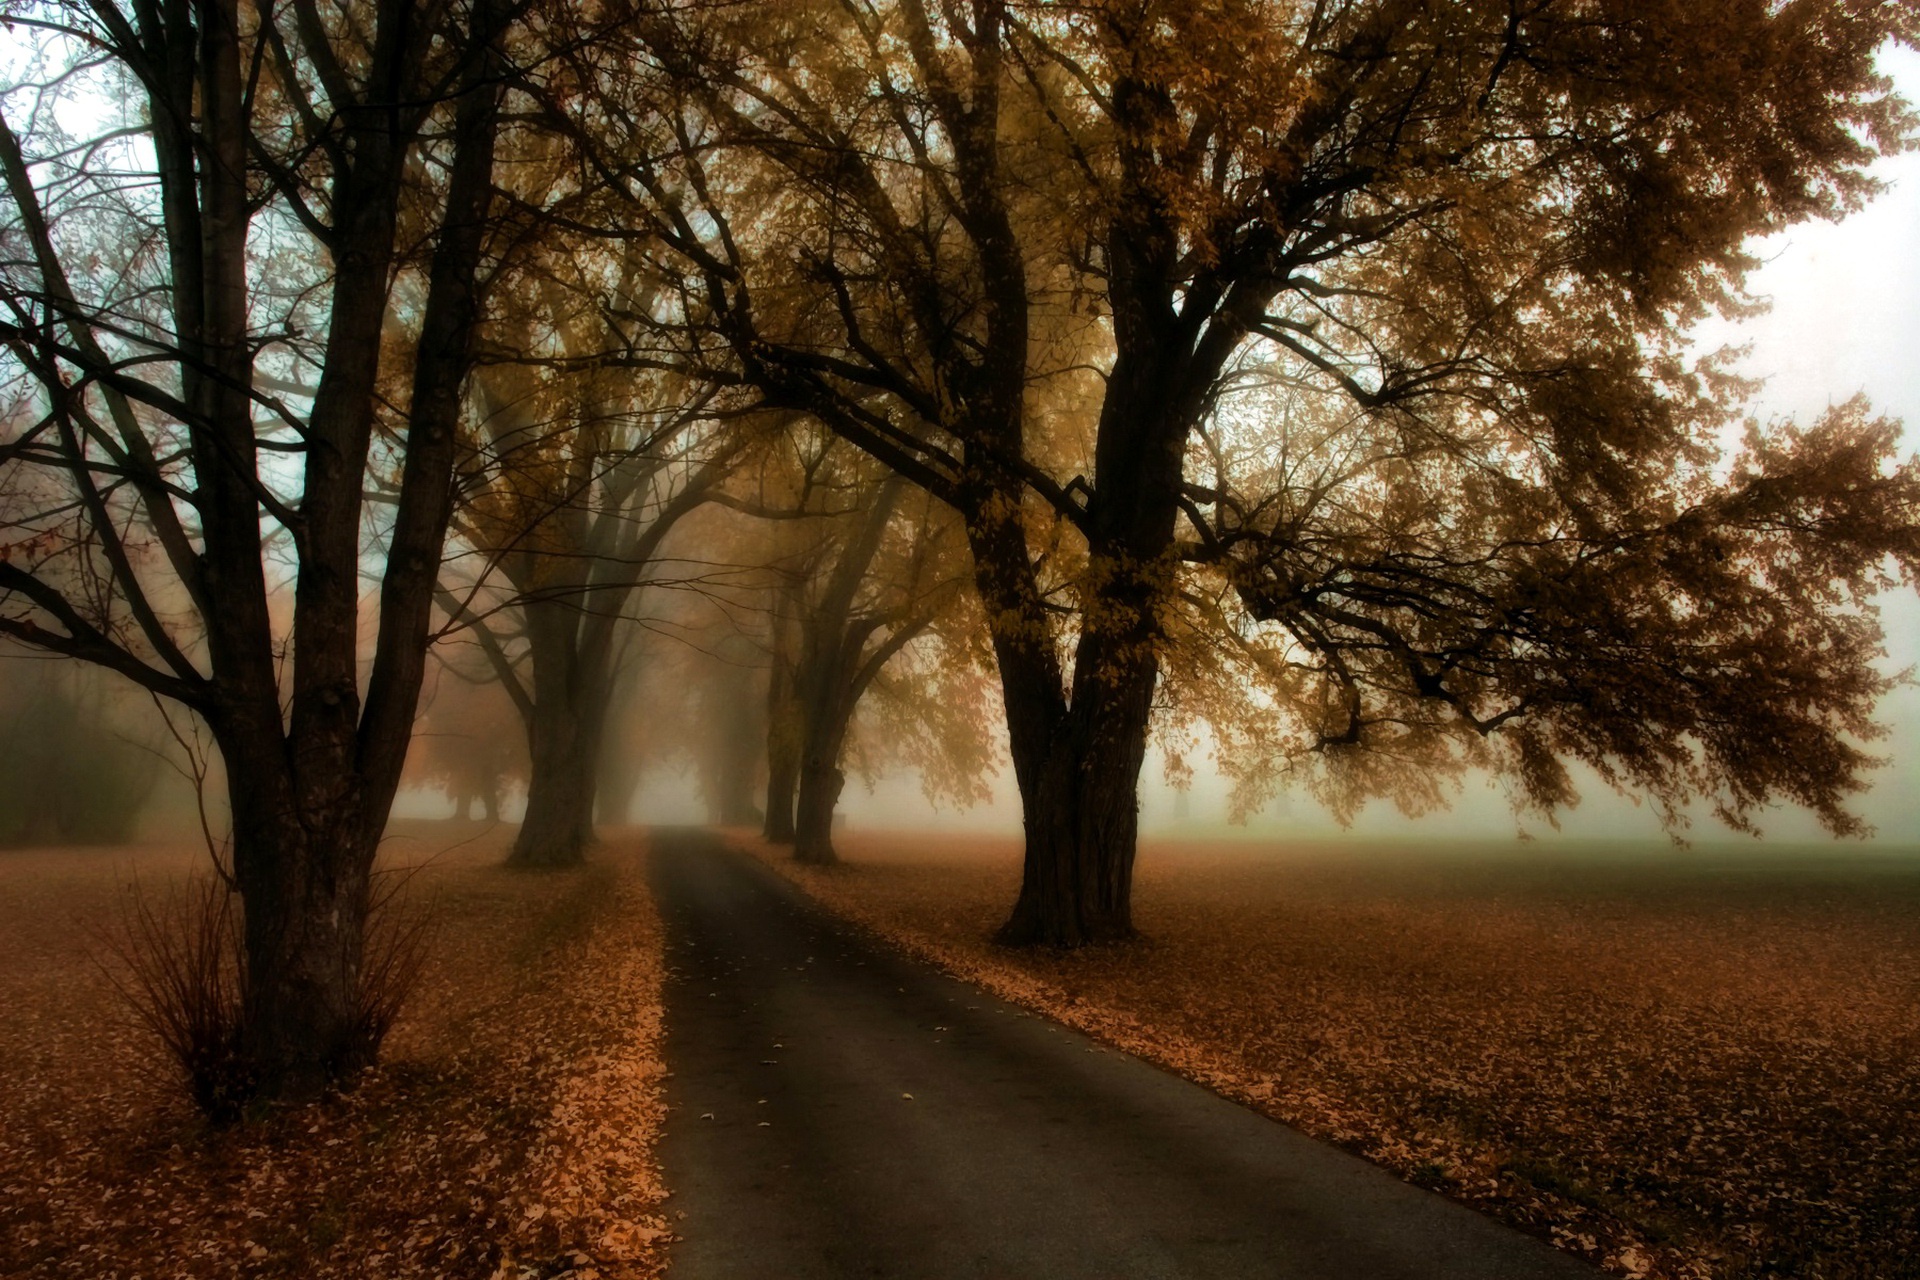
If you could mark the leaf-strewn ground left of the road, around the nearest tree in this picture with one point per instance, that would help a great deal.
(508, 1133)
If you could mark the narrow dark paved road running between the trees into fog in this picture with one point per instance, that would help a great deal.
(842, 1112)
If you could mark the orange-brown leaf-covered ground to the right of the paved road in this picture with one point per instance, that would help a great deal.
(1679, 1066)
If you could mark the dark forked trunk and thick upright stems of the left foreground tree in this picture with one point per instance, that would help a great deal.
(314, 759)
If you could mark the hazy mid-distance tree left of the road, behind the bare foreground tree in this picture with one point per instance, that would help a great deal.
(581, 471)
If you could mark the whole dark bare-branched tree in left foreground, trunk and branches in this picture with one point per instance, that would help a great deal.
(162, 325)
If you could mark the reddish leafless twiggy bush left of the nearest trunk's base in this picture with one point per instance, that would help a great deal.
(183, 974)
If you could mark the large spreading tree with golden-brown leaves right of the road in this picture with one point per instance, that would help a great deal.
(1343, 341)
